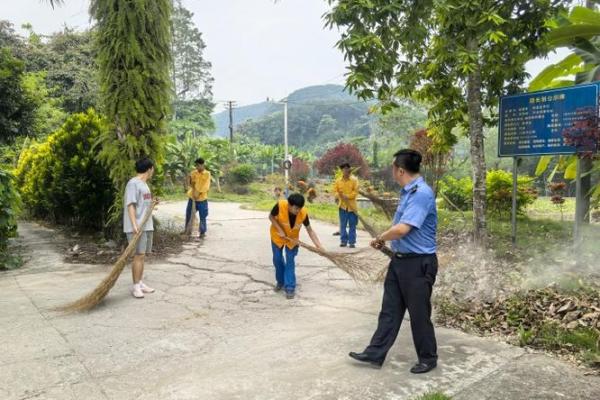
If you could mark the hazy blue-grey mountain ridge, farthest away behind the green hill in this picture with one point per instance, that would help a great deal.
(312, 95)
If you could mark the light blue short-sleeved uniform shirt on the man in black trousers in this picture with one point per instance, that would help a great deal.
(417, 209)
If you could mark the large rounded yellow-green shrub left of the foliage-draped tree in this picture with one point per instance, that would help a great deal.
(60, 179)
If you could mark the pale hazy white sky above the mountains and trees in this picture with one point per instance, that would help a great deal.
(258, 48)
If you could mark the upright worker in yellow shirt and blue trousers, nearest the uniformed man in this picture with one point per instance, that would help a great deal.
(346, 191)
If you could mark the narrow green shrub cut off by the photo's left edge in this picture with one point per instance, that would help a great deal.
(9, 206)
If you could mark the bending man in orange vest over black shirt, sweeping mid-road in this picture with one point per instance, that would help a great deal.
(287, 217)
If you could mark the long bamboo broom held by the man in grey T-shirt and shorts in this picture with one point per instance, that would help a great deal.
(93, 298)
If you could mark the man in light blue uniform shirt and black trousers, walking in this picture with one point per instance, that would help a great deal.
(412, 271)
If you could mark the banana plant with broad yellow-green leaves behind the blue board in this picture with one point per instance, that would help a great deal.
(580, 32)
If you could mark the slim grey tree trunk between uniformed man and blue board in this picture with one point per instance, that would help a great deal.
(477, 154)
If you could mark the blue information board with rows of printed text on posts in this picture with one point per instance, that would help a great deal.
(533, 123)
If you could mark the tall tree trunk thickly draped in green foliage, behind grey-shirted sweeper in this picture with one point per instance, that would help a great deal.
(134, 59)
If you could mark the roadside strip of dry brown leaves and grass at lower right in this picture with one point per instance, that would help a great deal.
(565, 324)
